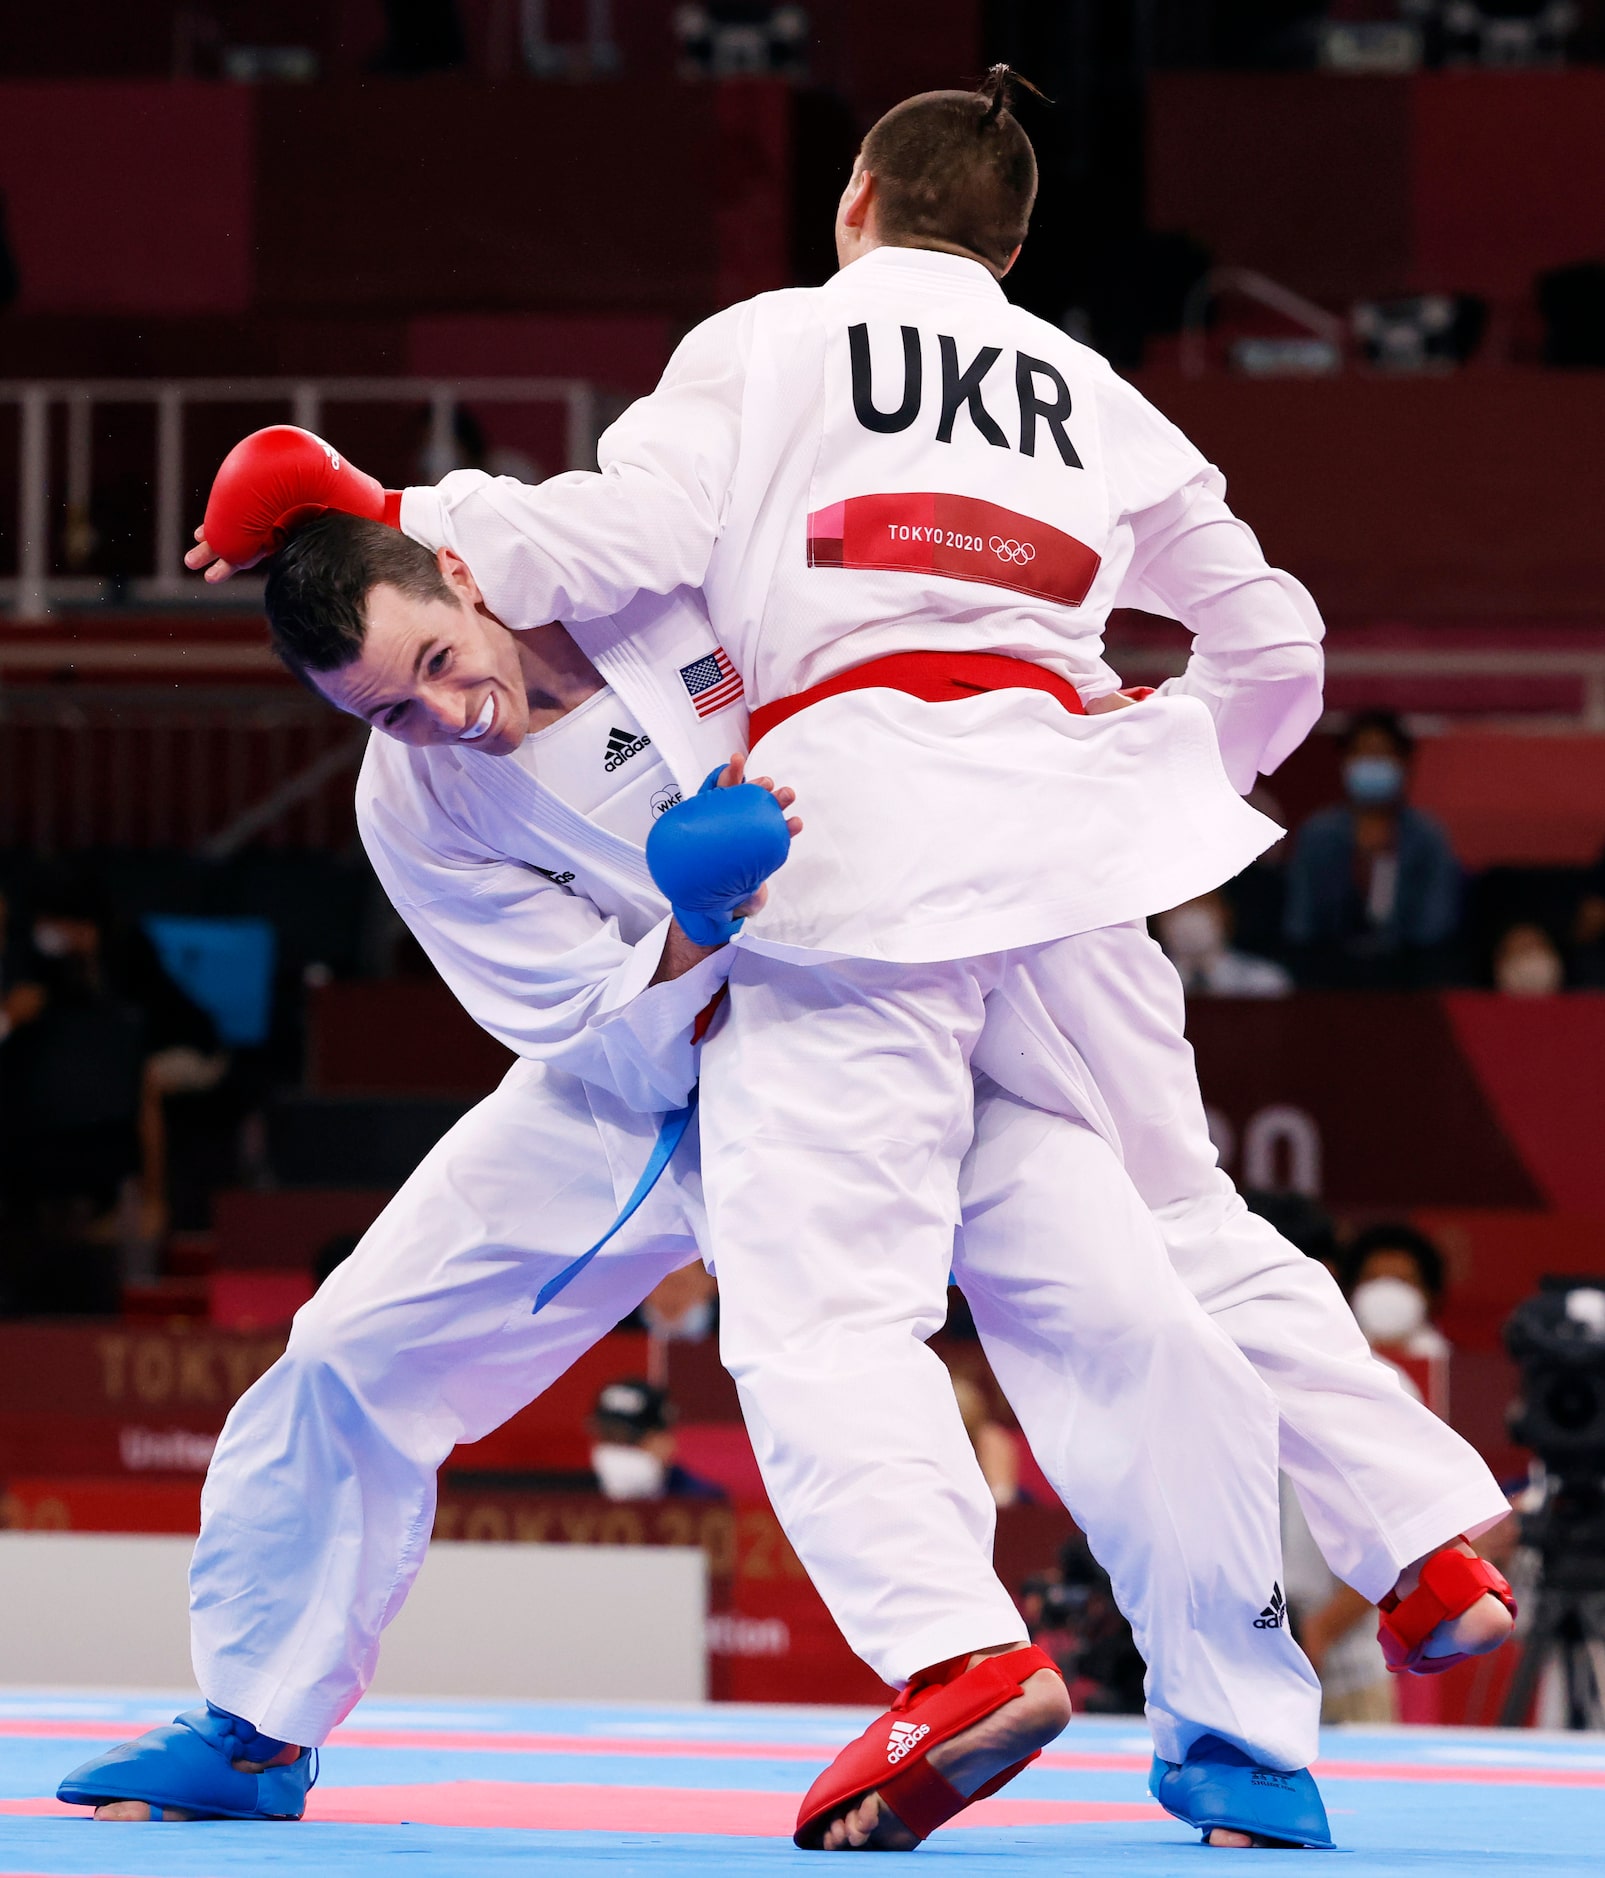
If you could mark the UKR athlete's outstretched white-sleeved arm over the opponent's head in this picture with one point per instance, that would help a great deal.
(585, 544)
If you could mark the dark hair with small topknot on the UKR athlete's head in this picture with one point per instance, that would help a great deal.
(955, 168)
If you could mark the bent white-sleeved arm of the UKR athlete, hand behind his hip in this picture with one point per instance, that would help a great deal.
(1257, 636)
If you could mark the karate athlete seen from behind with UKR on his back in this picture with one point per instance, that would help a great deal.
(909, 508)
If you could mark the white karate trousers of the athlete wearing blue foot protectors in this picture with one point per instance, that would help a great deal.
(320, 1500)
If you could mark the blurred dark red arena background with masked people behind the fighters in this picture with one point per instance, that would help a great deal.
(1354, 249)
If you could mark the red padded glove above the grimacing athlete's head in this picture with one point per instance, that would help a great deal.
(279, 478)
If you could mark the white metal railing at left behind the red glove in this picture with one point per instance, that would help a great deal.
(35, 589)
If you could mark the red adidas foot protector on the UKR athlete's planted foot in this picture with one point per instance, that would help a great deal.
(891, 1757)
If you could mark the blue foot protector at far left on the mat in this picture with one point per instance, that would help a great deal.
(191, 1766)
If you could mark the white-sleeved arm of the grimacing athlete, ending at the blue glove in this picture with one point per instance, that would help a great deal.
(540, 968)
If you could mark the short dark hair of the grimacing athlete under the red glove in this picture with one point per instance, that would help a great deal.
(320, 581)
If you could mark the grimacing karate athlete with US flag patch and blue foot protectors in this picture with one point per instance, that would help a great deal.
(506, 810)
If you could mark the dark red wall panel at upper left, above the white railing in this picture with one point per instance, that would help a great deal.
(440, 194)
